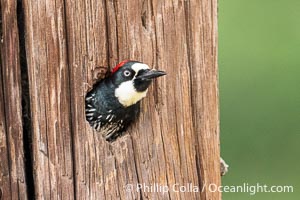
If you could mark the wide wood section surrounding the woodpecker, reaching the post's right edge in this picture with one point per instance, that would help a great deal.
(176, 139)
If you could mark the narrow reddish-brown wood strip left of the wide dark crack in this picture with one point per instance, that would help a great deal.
(12, 180)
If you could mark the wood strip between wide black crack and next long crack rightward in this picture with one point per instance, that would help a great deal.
(50, 100)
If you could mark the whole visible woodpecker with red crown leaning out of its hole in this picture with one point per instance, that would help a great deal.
(114, 102)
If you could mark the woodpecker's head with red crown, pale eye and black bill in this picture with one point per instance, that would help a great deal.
(132, 79)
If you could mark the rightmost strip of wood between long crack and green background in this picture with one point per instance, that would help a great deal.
(204, 89)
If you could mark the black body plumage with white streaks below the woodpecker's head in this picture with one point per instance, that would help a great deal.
(105, 113)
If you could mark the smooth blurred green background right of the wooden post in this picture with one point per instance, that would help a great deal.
(259, 65)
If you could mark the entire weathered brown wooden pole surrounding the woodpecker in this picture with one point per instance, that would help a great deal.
(68, 46)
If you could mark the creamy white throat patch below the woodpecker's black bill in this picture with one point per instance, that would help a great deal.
(127, 94)
